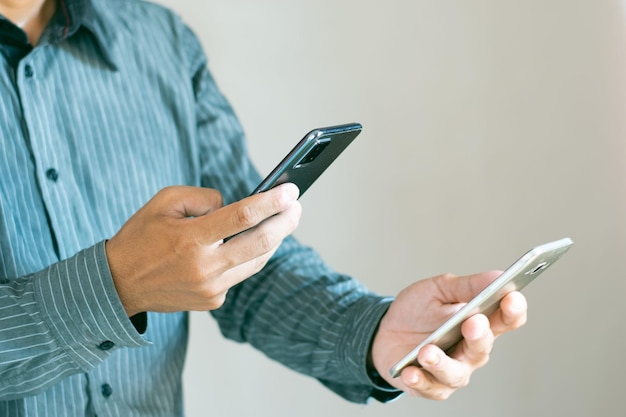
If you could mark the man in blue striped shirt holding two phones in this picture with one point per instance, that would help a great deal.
(123, 169)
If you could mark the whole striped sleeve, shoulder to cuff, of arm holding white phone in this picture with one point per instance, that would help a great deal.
(297, 310)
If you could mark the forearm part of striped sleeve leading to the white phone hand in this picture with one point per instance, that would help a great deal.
(301, 313)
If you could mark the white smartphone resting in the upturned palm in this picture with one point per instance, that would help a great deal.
(514, 278)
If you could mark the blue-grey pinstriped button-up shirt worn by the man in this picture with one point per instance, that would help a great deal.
(113, 104)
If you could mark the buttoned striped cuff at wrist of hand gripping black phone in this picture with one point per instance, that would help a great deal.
(78, 301)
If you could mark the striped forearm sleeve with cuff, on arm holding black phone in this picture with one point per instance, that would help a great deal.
(60, 321)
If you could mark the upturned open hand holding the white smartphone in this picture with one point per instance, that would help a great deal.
(418, 311)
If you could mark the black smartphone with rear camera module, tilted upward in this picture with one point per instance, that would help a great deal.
(311, 156)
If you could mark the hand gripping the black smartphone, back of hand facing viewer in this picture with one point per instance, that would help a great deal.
(170, 255)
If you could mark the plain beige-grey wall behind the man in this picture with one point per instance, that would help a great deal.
(490, 126)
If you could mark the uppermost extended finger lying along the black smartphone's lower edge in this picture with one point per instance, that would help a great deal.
(249, 212)
